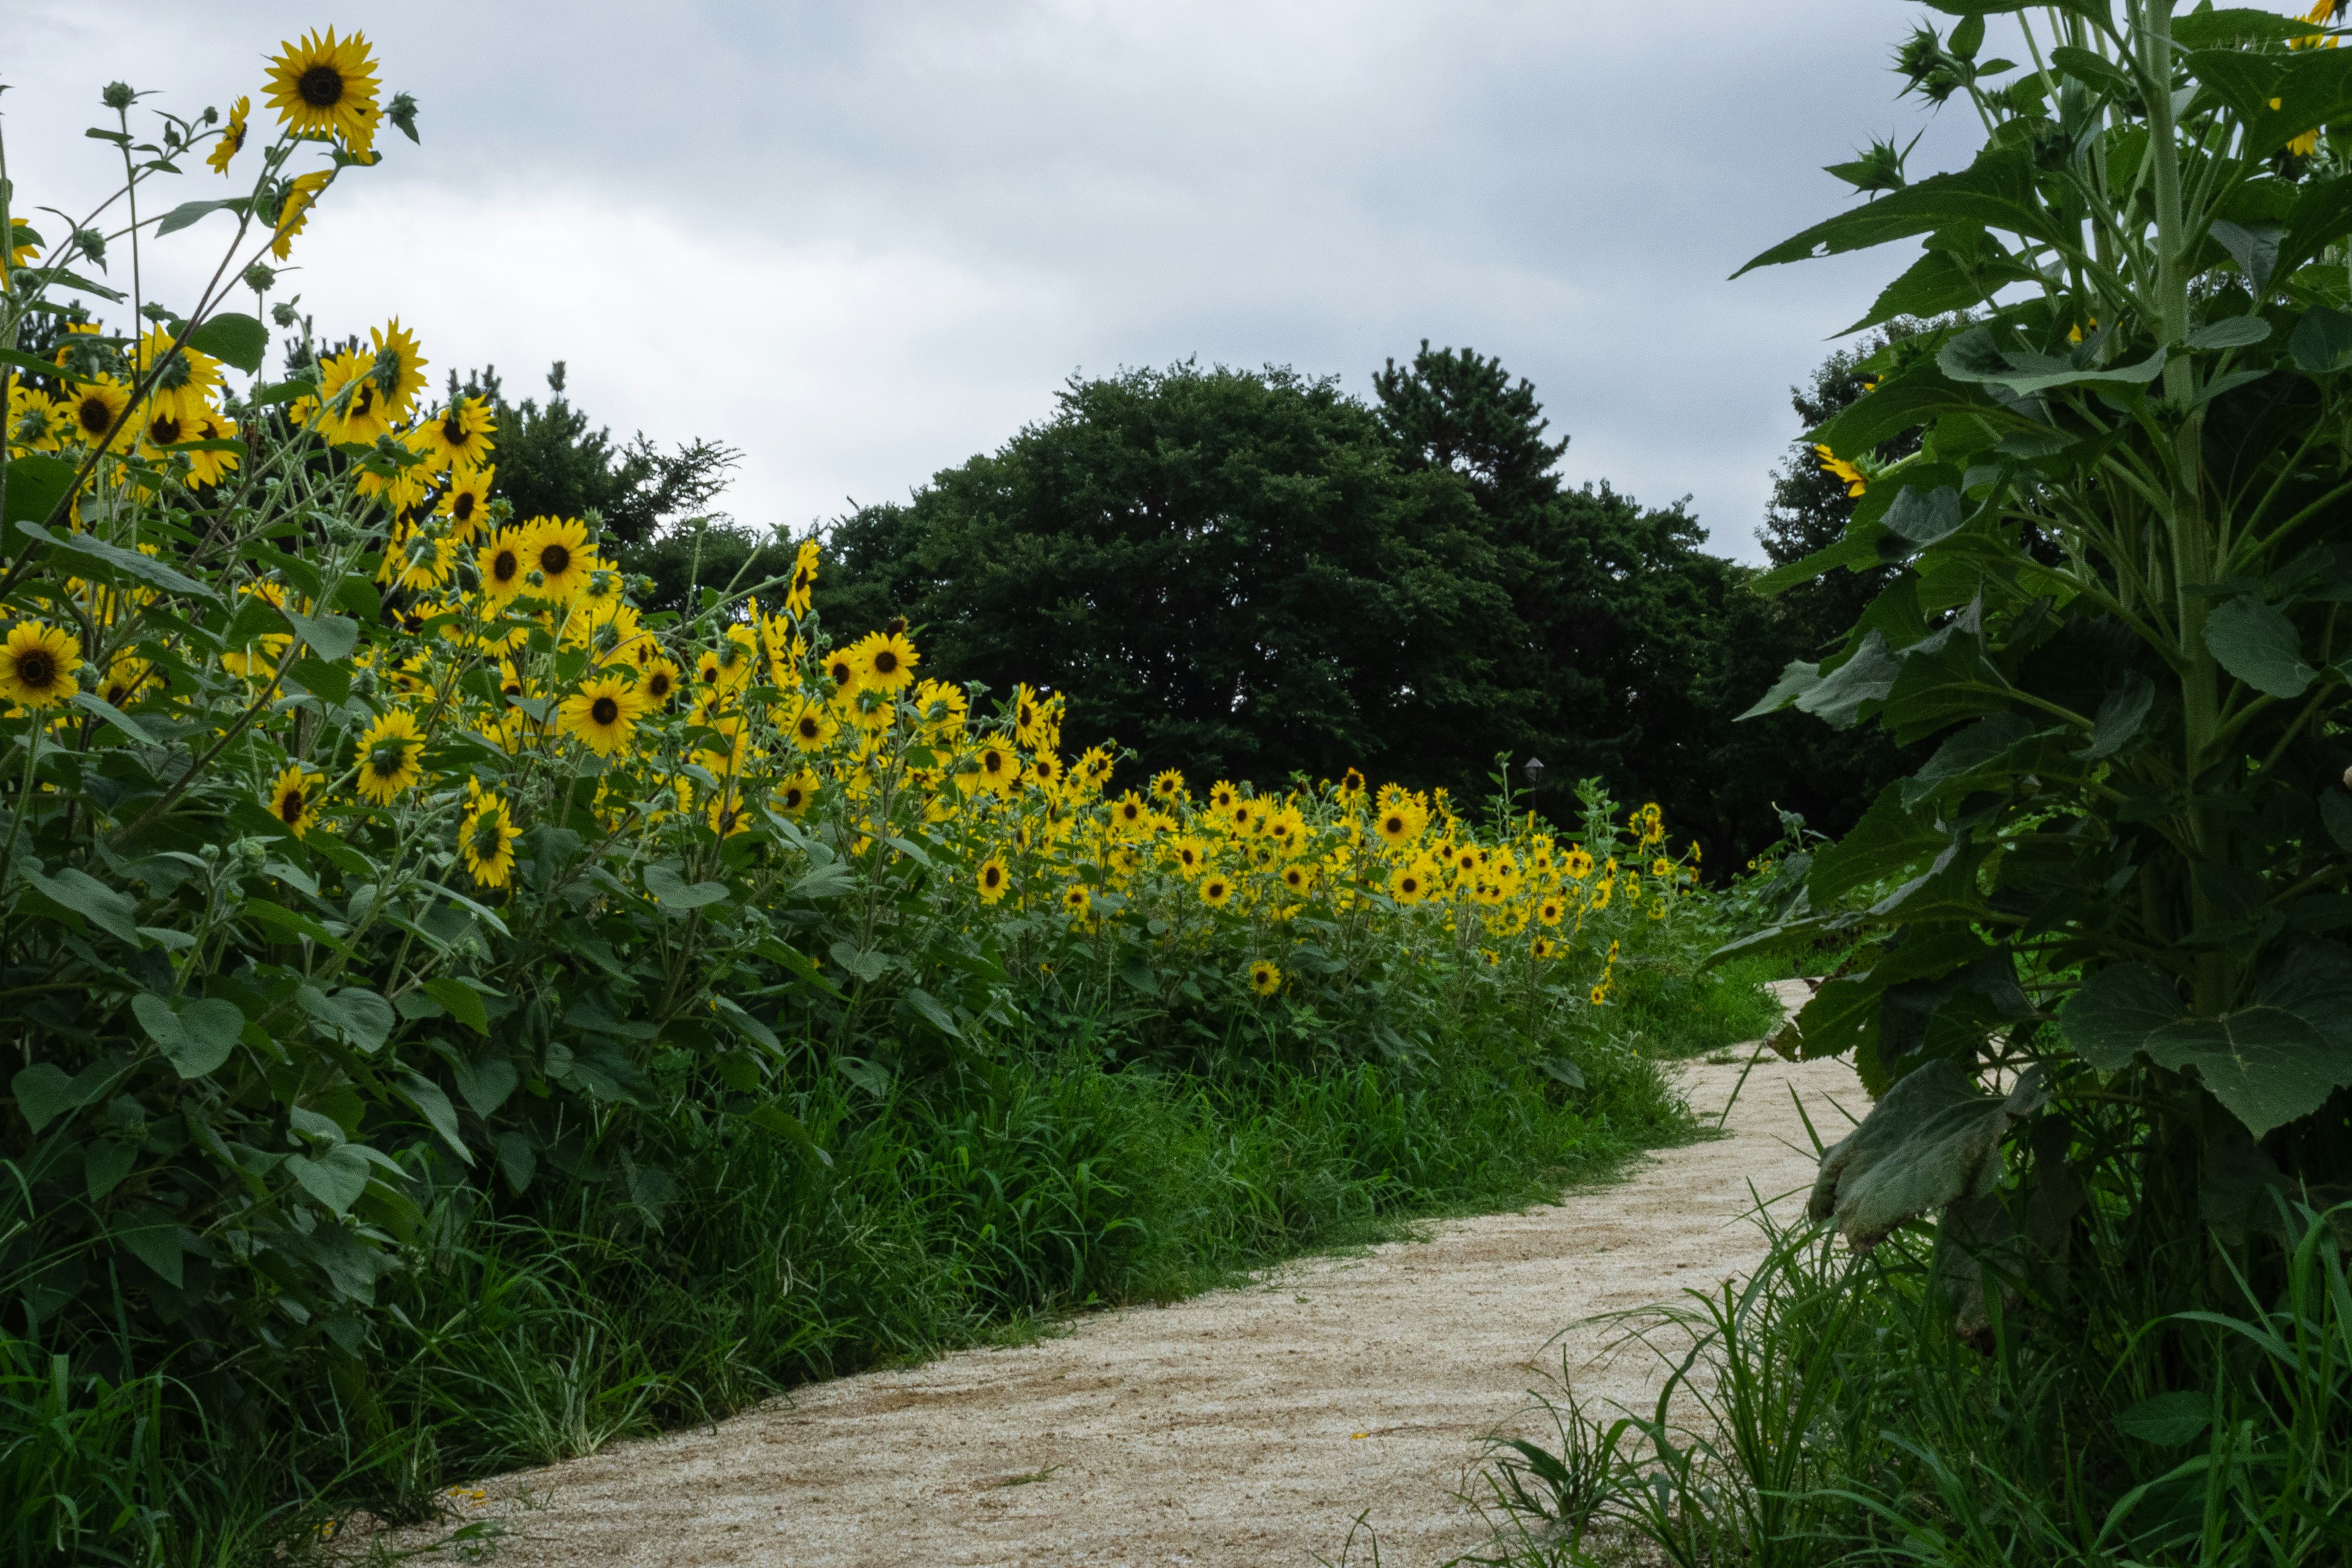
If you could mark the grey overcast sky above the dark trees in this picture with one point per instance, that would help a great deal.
(869, 241)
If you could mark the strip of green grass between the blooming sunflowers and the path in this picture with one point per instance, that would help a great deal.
(977, 1207)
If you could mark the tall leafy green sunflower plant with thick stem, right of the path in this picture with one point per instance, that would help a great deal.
(2099, 934)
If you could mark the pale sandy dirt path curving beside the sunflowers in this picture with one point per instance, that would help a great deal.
(1236, 1430)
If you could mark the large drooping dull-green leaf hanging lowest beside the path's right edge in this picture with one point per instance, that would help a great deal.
(1930, 1144)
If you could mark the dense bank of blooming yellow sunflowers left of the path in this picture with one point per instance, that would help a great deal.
(370, 843)
